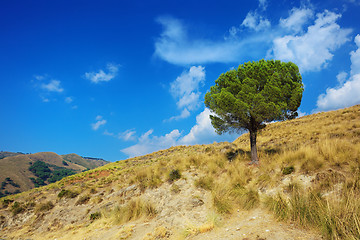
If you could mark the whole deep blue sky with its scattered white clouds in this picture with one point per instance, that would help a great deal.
(116, 79)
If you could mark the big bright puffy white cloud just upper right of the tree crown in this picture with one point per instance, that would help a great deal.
(314, 49)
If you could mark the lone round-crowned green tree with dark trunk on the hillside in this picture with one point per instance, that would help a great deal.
(254, 94)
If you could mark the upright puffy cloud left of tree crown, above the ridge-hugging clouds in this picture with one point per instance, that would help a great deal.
(185, 89)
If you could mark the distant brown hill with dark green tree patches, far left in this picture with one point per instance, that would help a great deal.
(20, 172)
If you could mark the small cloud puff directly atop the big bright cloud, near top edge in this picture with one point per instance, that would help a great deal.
(298, 17)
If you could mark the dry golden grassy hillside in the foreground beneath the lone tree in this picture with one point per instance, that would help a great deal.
(307, 186)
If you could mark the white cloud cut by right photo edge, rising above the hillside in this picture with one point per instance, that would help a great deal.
(347, 93)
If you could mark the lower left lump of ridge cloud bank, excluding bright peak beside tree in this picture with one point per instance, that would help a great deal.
(148, 143)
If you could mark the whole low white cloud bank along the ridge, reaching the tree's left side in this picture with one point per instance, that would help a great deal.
(201, 133)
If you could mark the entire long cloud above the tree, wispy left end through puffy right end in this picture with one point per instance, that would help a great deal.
(303, 37)
